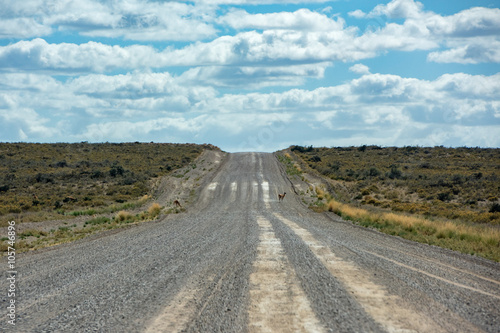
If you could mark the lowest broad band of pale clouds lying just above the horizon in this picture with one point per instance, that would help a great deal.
(462, 108)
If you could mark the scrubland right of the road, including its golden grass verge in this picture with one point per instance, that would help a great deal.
(442, 196)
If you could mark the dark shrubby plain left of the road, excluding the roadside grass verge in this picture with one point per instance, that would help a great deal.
(53, 181)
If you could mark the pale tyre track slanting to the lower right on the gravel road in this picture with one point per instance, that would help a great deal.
(388, 310)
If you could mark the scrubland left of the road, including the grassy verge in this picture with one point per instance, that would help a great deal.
(110, 185)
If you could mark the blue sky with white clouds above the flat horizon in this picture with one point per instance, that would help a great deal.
(251, 75)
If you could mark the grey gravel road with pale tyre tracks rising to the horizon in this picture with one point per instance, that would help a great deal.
(241, 261)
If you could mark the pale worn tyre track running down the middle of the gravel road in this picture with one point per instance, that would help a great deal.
(277, 302)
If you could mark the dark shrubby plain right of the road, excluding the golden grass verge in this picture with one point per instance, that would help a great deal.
(456, 183)
